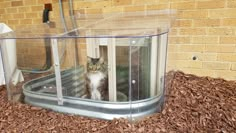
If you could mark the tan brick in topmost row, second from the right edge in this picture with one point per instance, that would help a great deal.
(209, 4)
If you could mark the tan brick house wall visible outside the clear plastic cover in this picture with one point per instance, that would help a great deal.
(205, 29)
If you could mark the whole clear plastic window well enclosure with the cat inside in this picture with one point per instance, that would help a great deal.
(105, 66)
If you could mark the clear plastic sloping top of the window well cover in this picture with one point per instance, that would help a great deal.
(128, 24)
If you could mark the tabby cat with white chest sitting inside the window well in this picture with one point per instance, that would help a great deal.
(96, 79)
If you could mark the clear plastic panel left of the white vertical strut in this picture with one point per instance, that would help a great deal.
(32, 62)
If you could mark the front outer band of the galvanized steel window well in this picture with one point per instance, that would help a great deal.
(103, 110)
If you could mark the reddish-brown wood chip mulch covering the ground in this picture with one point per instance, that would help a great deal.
(194, 104)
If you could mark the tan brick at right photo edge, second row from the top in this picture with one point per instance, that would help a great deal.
(222, 13)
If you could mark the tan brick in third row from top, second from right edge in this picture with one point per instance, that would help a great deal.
(206, 22)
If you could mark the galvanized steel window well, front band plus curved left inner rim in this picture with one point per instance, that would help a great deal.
(86, 107)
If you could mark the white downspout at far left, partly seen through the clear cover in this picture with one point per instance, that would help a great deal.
(8, 47)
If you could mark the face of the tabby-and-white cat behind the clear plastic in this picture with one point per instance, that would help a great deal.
(95, 64)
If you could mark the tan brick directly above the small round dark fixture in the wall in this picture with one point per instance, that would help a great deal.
(191, 48)
